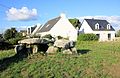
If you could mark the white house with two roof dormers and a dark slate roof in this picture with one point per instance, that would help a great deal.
(101, 28)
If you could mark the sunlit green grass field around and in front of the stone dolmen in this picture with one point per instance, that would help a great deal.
(95, 60)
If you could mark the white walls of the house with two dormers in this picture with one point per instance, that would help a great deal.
(103, 35)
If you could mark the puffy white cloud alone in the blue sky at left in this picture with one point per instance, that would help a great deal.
(23, 14)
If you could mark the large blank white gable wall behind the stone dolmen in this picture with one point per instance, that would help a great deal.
(65, 29)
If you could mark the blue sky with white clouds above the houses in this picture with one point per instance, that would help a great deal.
(24, 13)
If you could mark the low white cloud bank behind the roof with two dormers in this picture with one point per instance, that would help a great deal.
(114, 20)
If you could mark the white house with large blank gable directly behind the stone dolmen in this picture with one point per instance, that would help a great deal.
(59, 26)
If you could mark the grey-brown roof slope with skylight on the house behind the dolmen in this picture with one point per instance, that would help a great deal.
(49, 24)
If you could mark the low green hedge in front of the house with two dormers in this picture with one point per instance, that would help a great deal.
(87, 37)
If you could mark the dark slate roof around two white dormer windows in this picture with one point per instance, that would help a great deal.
(102, 24)
